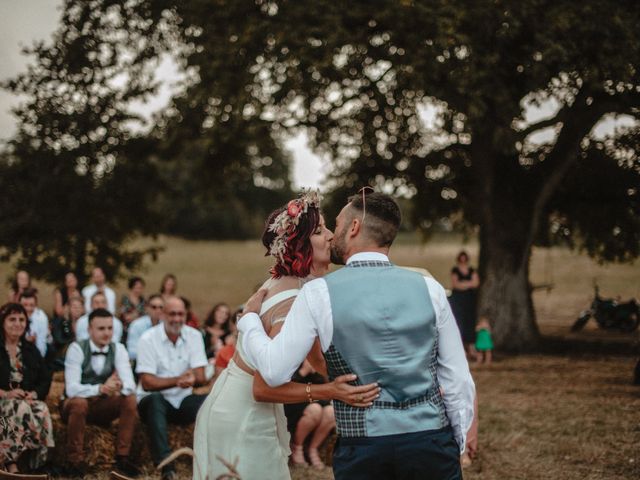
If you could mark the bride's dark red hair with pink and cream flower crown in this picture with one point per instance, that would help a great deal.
(287, 235)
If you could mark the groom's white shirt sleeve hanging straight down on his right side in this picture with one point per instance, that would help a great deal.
(452, 369)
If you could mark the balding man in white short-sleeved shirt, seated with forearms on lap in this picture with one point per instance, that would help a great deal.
(170, 363)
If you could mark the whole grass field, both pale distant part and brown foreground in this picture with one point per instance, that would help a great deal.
(564, 415)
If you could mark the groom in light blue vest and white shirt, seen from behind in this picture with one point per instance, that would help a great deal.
(384, 324)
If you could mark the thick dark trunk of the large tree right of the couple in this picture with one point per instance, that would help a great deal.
(505, 293)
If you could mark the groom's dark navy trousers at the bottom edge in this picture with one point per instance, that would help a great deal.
(427, 455)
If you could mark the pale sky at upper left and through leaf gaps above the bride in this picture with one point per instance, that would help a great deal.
(24, 21)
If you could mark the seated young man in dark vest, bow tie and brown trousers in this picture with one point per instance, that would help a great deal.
(99, 387)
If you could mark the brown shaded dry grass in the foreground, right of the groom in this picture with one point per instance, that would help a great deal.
(543, 417)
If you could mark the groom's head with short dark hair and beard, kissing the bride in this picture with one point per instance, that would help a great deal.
(367, 222)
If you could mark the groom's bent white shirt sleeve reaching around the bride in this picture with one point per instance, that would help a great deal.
(278, 358)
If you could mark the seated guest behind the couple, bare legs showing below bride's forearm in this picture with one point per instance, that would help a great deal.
(304, 420)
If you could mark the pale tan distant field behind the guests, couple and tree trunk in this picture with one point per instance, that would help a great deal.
(210, 272)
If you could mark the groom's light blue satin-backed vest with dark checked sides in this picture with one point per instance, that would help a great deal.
(384, 330)
